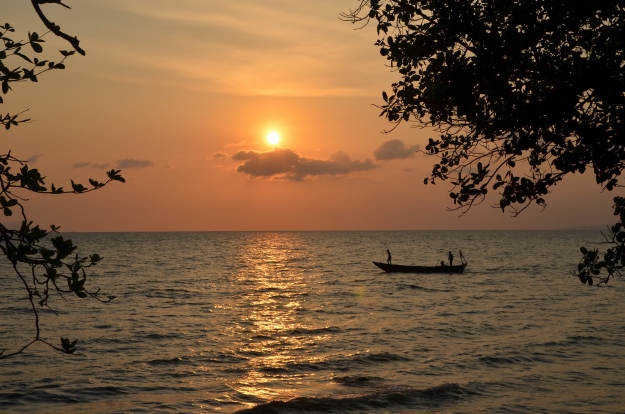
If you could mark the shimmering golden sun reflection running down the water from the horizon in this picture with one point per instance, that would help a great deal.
(273, 332)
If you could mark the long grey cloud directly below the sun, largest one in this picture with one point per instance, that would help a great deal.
(284, 163)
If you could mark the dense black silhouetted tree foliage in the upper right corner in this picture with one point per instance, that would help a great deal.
(522, 92)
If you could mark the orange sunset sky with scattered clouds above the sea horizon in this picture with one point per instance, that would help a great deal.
(181, 96)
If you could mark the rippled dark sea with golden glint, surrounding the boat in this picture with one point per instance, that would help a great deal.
(302, 322)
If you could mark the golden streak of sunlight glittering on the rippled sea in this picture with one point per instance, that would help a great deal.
(272, 295)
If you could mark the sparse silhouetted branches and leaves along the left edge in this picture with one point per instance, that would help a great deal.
(50, 259)
